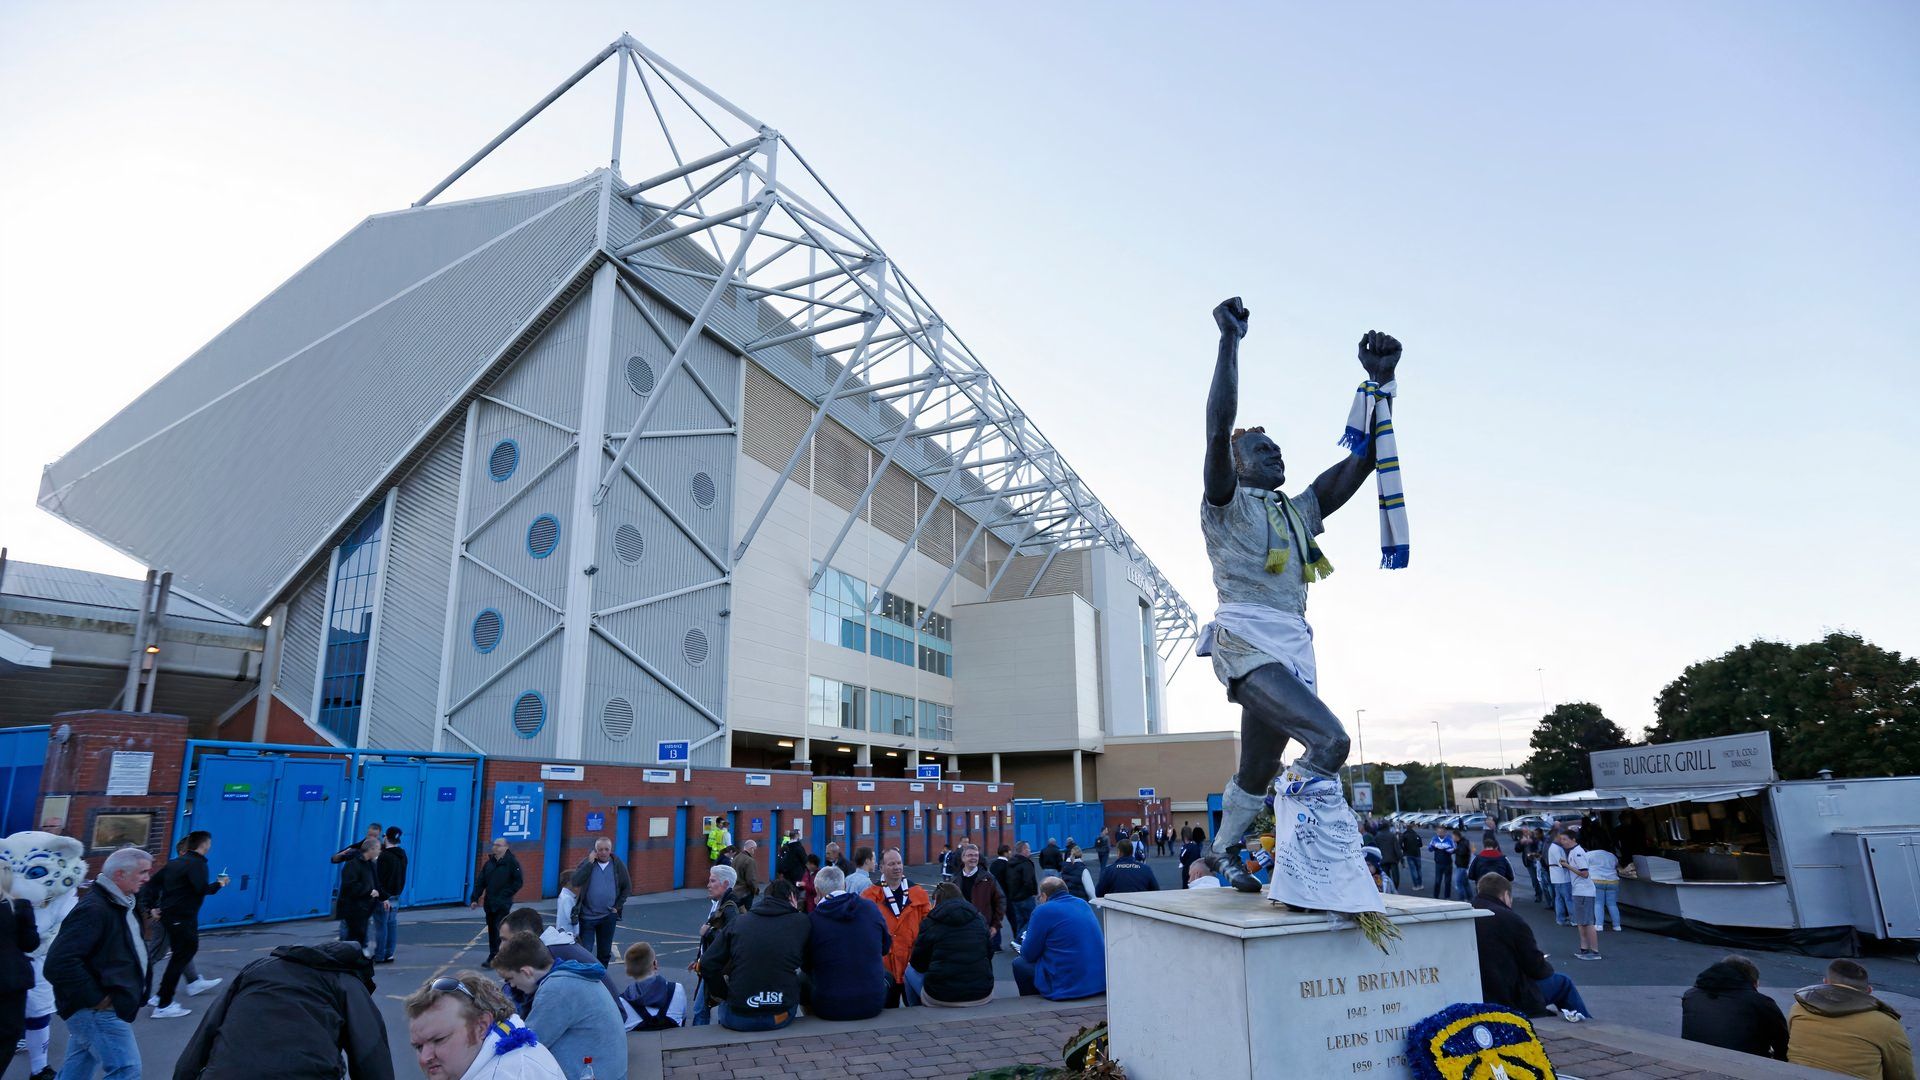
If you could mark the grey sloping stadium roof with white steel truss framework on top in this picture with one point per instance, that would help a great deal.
(254, 456)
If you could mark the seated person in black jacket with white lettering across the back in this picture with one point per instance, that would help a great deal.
(761, 958)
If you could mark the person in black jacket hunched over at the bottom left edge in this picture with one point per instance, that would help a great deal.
(299, 1010)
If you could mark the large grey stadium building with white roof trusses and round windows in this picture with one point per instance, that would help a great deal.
(673, 451)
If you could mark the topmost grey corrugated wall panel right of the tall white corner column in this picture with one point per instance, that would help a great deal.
(640, 360)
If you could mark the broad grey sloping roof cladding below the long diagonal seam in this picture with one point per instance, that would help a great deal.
(302, 449)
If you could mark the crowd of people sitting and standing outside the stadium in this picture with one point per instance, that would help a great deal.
(832, 937)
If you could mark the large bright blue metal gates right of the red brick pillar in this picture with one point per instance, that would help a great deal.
(277, 814)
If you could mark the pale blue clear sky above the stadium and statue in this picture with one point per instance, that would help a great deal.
(1646, 262)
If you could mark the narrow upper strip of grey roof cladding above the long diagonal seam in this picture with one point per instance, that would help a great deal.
(379, 258)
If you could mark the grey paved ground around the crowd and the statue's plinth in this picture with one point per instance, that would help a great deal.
(1637, 987)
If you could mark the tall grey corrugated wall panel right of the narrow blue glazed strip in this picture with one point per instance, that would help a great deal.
(414, 601)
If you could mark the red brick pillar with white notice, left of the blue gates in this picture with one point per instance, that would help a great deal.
(80, 768)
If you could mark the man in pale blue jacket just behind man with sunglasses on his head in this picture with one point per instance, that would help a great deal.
(571, 1012)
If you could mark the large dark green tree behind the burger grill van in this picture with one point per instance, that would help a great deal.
(1842, 704)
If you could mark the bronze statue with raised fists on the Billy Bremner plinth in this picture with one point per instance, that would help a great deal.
(1264, 558)
